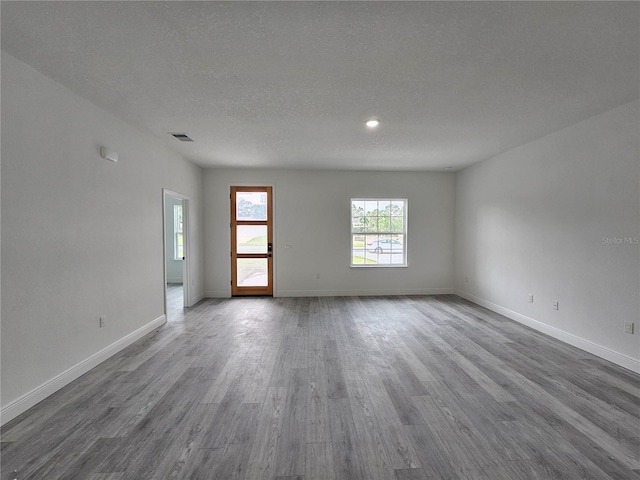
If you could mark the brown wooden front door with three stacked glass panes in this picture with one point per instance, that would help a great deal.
(251, 241)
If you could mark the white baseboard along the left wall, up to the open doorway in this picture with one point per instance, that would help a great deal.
(48, 388)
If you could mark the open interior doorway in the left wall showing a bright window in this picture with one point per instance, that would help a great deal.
(176, 259)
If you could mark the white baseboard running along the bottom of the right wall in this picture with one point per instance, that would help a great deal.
(573, 340)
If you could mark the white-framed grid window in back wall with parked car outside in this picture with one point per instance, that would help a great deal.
(378, 232)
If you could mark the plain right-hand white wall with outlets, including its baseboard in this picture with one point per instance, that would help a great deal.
(535, 221)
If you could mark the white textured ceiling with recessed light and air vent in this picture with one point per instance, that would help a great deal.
(290, 84)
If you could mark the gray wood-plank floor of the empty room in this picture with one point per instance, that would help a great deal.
(400, 388)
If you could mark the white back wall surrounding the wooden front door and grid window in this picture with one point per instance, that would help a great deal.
(312, 213)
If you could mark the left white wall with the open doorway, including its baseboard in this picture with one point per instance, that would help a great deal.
(82, 237)
